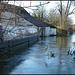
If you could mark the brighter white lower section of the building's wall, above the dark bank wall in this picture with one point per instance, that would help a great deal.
(18, 31)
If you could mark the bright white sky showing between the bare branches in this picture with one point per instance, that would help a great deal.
(48, 7)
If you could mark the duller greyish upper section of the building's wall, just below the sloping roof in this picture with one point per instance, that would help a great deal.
(19, 20)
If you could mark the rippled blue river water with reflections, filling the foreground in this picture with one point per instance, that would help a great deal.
(37, 60)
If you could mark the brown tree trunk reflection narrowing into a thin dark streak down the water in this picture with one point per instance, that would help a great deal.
(62, 43)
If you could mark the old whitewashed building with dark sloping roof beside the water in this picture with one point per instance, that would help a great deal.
(17, 20)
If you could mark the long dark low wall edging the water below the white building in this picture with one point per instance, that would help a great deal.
(14, 46)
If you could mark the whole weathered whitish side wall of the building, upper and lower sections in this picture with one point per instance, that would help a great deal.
(21, 28)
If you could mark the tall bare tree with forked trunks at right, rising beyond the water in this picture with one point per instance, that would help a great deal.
(67, 12)
